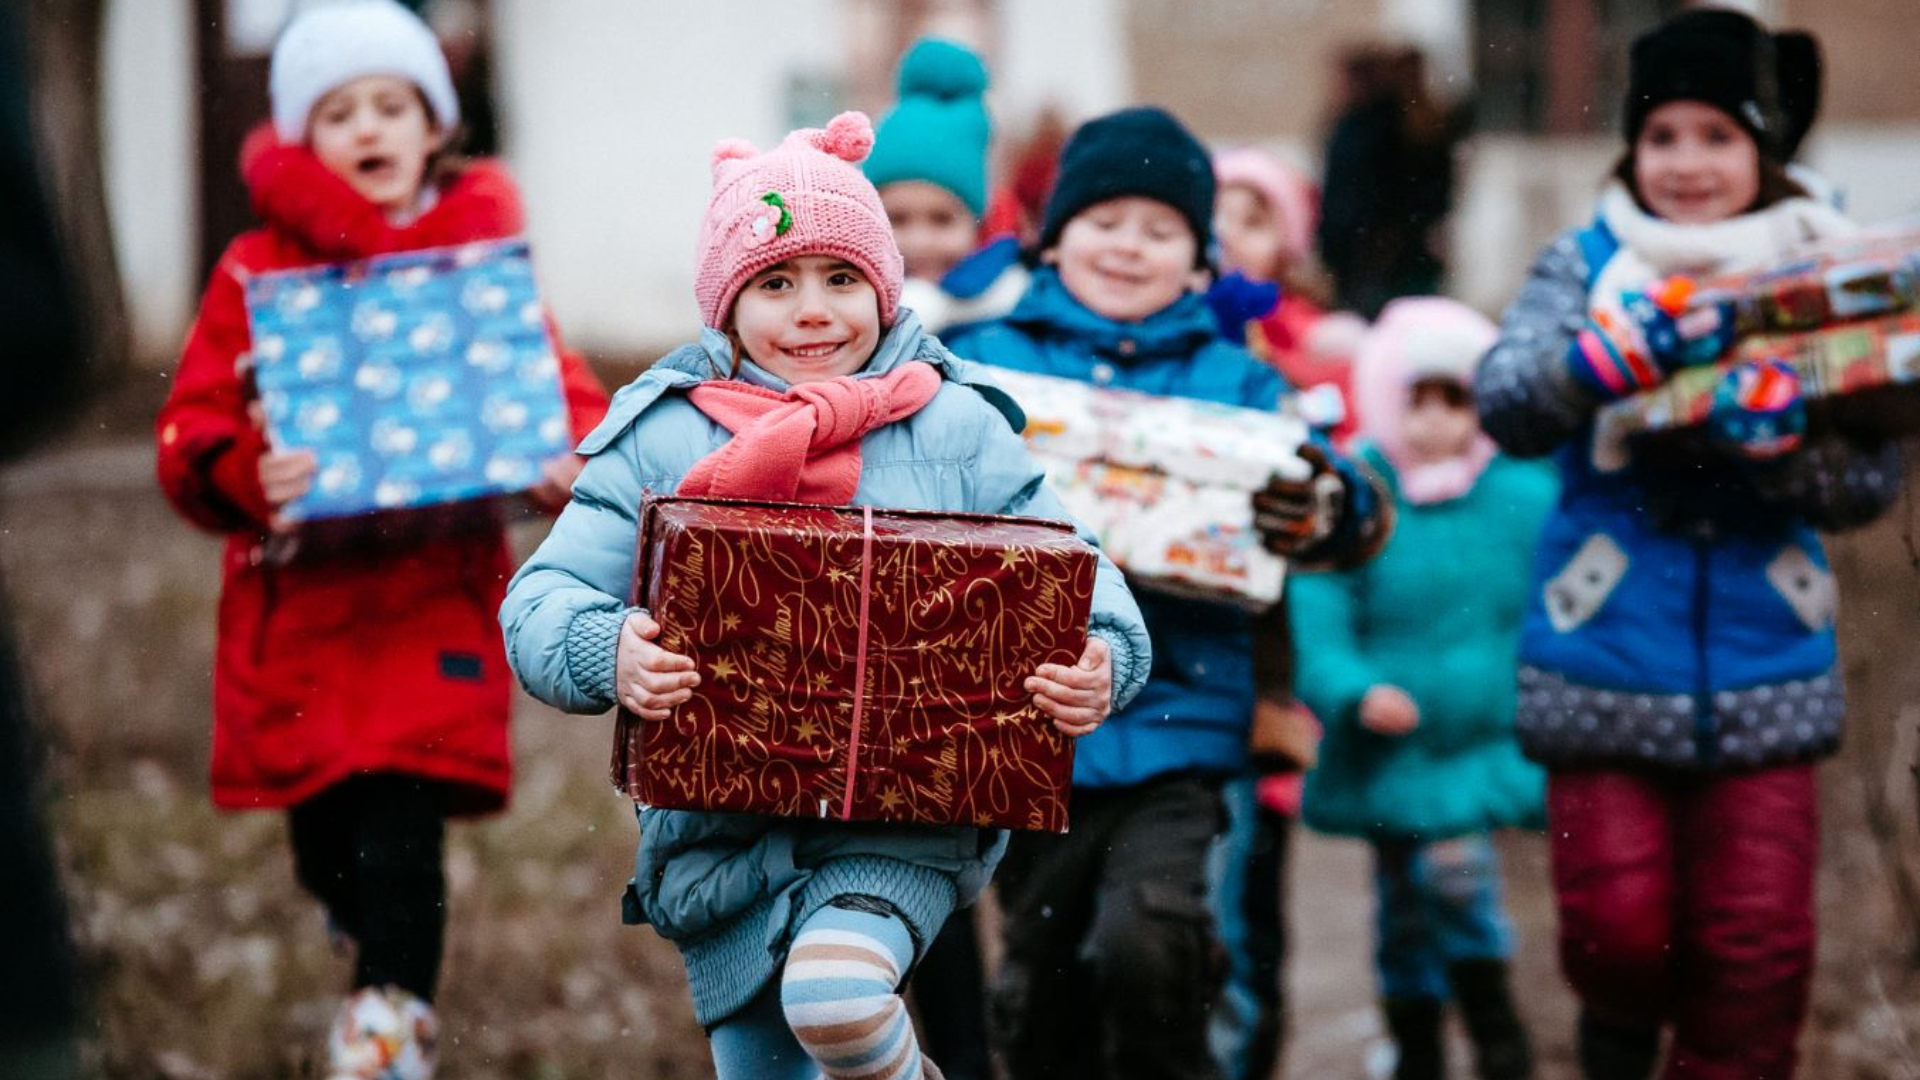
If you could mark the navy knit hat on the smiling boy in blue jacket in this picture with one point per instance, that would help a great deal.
(1141, 153)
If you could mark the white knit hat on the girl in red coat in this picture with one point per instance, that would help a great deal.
(331, 45)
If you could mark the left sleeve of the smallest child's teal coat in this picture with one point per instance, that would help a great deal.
(1332, 674)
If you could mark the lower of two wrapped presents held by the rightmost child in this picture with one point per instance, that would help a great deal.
(1863, 376)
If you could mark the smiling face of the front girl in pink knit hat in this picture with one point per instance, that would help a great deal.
(809, 318)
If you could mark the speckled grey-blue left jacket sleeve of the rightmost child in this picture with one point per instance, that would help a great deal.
(1525, 387)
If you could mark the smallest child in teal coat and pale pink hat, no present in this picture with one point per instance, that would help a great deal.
(1408, 666)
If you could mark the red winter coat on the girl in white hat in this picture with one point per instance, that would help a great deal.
(383, 662)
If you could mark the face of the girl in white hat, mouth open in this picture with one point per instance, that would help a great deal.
(377, 135)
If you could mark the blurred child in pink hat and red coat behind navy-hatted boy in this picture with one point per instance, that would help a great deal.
(1266, 220)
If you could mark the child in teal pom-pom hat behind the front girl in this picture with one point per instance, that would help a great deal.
(930, 166)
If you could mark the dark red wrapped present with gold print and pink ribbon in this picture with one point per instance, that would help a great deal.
(859, 664)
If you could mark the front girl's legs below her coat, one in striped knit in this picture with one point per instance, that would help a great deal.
(836, 1012)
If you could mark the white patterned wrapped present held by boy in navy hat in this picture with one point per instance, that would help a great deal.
(1164, 483)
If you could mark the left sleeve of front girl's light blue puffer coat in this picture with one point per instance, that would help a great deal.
(565, 606)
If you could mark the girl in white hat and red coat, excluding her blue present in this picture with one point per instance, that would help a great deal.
(366, 695)
